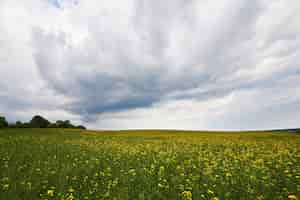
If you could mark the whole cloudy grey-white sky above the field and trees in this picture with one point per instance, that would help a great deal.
(152, 64)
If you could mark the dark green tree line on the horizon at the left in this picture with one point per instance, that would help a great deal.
(38, 122)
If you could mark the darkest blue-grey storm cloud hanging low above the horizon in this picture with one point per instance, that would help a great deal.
(101, 91)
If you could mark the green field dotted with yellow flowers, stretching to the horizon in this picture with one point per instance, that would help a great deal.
(75, 164)
